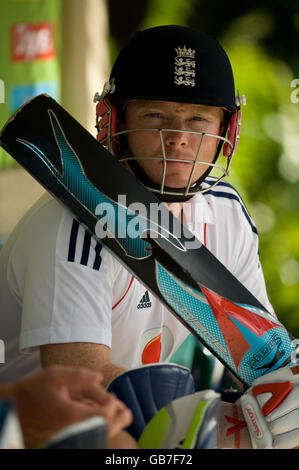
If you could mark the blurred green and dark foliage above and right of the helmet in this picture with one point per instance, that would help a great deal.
(260, 39)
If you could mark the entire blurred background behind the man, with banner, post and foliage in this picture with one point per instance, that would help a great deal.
(65, 48)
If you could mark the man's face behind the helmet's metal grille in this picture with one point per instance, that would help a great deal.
(145, 114)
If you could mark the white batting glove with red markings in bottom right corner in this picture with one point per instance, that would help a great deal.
(271, 409)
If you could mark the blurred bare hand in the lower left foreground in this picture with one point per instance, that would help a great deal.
(56, 397)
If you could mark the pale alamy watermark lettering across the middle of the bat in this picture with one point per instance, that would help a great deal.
(133, 221)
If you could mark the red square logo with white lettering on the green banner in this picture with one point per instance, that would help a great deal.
(32, 41)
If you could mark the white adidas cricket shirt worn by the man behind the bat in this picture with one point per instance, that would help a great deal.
(58, 285)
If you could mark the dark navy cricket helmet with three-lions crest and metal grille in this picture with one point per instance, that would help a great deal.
(178, 64)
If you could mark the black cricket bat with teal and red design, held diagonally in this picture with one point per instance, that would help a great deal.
(191, 282)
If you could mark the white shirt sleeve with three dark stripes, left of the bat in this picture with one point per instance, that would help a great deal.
(67, 292)
